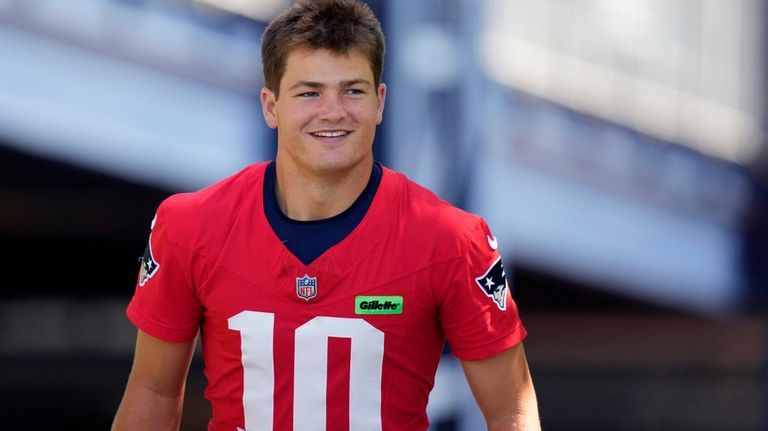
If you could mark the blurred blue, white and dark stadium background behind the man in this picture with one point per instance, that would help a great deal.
(617, 148)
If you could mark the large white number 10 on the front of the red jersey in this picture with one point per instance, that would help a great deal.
(310, 371)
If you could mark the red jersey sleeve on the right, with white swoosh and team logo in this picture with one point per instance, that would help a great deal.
(477, 312)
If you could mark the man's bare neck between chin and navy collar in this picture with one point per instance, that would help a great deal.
(305, 196)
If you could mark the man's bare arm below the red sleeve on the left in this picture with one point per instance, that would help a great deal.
(155, 391)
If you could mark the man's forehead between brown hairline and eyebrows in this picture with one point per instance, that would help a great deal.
(325, 66)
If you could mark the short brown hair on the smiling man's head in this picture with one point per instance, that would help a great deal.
(336, 25)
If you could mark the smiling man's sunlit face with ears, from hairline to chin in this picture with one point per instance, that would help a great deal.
(327, 112)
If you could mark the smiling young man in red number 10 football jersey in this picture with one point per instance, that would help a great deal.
(322, 284)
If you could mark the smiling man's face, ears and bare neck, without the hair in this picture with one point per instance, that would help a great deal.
(326, 114)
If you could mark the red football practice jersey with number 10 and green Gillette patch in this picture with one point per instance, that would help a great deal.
(349, 342)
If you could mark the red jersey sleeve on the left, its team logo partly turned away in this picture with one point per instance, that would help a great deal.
(164, 302)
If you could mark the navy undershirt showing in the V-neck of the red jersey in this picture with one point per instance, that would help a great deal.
(307, 240)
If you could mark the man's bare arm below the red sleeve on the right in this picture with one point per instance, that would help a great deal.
(503, 389)
